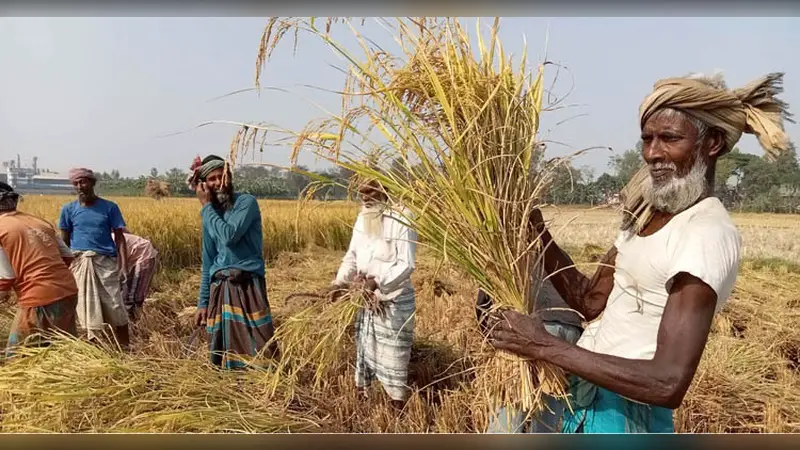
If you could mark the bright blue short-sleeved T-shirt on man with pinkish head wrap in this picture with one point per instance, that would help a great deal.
(90, 227)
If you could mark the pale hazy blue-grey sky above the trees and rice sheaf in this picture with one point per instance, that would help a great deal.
(99, 92)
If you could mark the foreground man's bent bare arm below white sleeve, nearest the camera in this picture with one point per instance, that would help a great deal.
(662, 381)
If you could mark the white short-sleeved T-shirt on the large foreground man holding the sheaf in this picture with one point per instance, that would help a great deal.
(701, 241)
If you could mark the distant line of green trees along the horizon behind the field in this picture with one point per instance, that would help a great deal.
(744, 182)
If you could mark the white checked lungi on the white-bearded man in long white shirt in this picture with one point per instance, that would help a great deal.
(383, 345)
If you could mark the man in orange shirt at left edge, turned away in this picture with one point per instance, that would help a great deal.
(34, 262)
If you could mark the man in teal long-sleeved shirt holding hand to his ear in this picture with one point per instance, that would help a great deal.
(233, 302)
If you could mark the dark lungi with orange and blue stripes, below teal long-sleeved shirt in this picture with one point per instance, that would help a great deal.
(239, 322)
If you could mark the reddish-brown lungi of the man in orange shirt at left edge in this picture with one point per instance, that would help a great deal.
(58, 316)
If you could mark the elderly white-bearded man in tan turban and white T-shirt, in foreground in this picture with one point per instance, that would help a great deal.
(651, 303)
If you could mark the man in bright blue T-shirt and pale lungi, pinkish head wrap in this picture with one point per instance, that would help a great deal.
(87, 225)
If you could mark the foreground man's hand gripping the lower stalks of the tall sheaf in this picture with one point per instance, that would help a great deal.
(519, 334)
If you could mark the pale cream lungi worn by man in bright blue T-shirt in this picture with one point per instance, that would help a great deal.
(99, 292)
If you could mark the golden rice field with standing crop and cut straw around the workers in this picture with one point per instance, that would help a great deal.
(748, 381)
